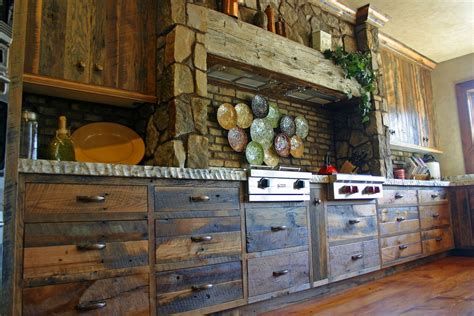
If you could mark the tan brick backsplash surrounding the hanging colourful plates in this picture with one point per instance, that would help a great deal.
(318, 142)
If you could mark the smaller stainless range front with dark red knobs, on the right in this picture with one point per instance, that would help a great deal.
(355, 187)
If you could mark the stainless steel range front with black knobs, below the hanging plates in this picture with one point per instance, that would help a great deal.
(278, 185)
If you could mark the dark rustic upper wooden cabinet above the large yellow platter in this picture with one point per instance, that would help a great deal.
(108, 44)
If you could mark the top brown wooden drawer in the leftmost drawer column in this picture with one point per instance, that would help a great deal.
(60, 201)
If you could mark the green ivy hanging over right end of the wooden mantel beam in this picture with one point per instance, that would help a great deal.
(356, 65)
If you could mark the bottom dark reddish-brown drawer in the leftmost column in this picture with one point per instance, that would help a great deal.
(126, 295)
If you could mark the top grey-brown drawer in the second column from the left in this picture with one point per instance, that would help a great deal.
(196, 198)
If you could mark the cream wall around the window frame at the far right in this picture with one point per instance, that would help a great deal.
(444, 77)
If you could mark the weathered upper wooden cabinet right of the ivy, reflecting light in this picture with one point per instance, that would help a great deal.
(409, 98)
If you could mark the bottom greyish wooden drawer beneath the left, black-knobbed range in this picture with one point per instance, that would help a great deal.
(279, 272)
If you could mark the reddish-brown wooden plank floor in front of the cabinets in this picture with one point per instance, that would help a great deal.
(444, 287)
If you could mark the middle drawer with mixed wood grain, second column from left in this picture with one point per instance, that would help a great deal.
(182, 239)
